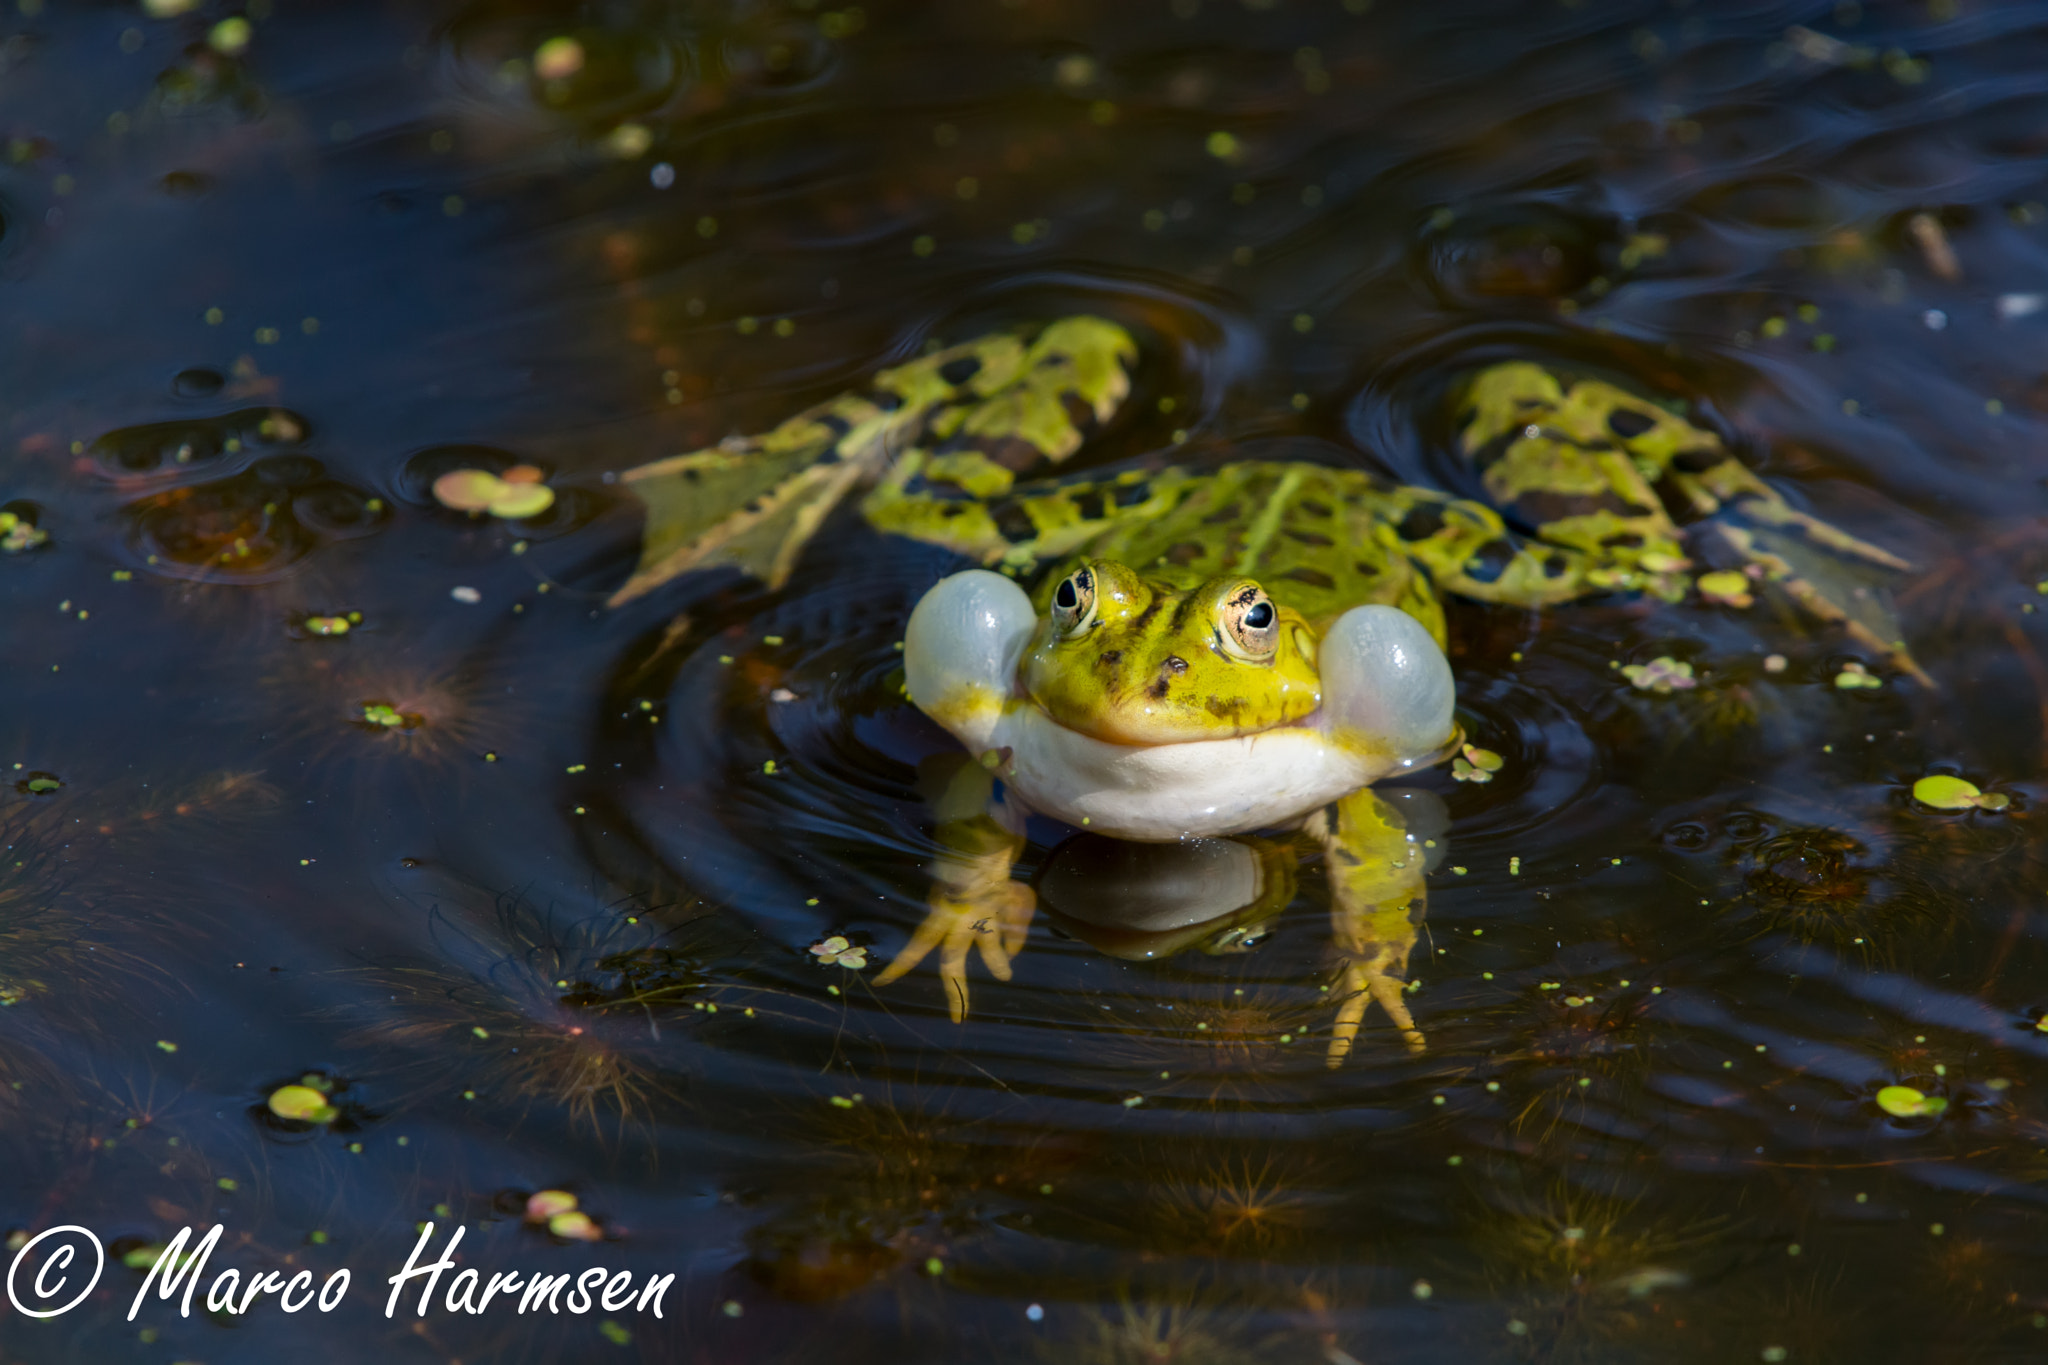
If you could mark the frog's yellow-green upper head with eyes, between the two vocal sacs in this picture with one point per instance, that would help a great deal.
(1140, 662)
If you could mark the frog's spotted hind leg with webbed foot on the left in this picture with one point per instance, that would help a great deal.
(972, 416)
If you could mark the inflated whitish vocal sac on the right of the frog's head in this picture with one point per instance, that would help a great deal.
(1385, 685)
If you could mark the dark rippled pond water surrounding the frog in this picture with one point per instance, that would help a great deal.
(523, 889)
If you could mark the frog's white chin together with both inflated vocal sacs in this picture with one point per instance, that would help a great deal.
(1388, 701)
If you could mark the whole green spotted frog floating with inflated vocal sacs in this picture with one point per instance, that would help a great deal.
(1170, 654)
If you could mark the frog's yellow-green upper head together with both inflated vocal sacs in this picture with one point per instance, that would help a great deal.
(1140, 664)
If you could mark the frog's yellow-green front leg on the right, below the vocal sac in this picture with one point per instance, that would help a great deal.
(1377, 904)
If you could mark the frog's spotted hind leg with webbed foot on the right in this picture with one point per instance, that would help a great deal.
(1598, 472)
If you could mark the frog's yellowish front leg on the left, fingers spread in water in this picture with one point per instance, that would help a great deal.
(974, 901)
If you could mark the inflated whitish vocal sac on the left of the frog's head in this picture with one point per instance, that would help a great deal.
(962, 652)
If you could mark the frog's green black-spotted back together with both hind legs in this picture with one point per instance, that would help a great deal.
(1601, 488)
